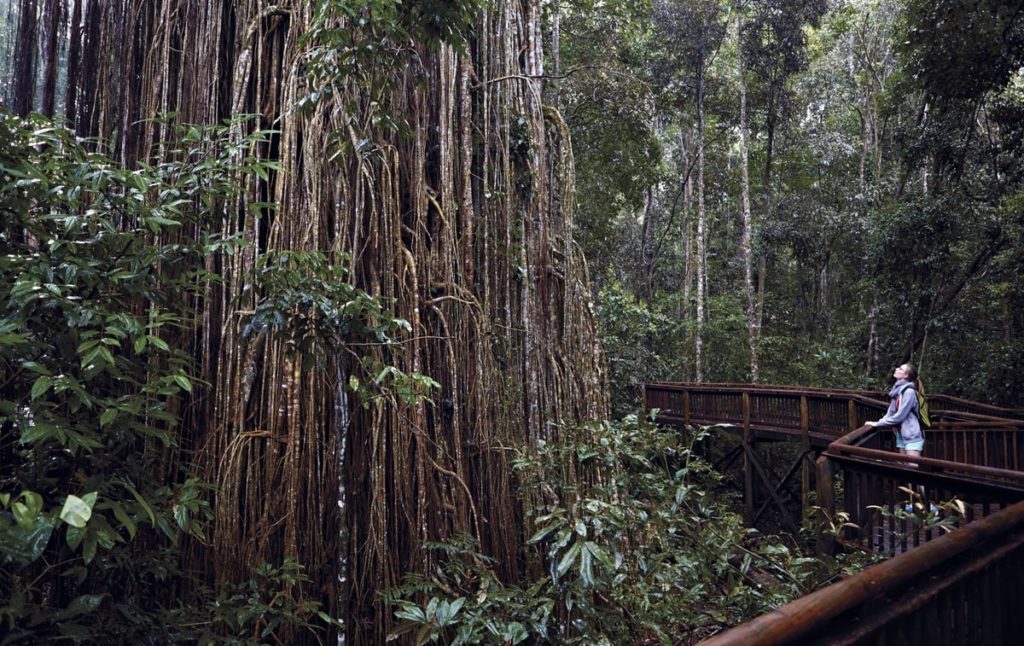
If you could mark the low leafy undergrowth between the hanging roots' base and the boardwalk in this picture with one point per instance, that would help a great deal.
(629, 545)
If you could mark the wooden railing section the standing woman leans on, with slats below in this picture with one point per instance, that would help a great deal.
(898, 502)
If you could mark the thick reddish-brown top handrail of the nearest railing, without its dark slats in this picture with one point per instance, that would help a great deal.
(814, 614)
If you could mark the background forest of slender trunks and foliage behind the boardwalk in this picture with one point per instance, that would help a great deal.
(883, 156)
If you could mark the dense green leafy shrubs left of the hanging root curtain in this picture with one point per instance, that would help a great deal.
(102, 273)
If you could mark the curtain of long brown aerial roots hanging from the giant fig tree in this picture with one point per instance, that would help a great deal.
(465, 226)
